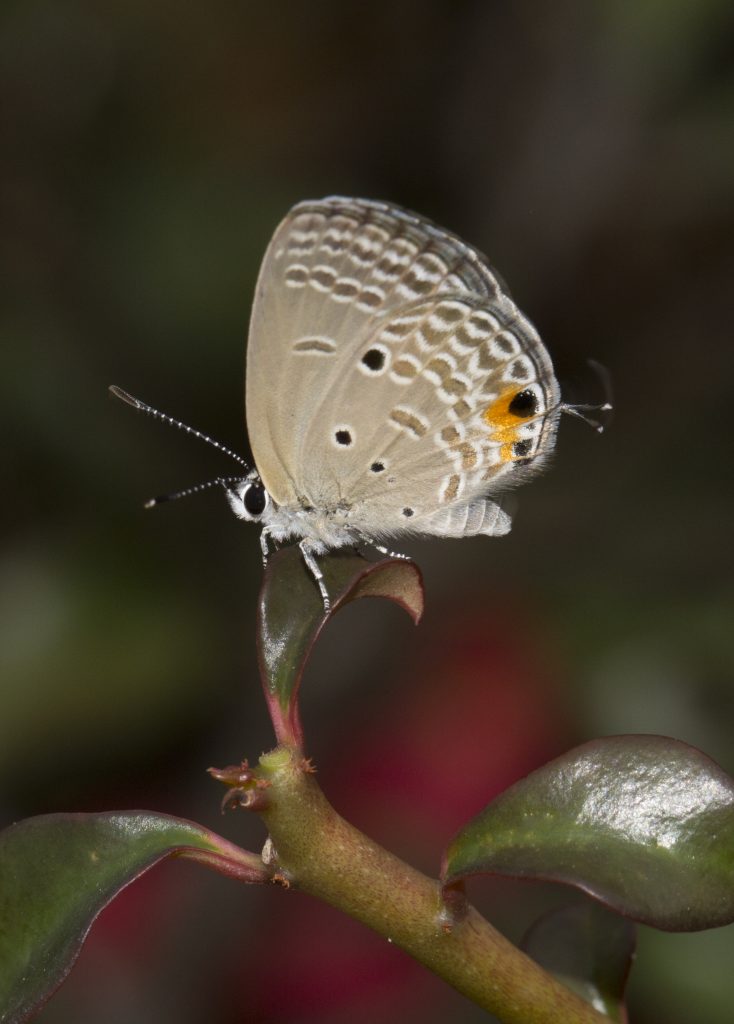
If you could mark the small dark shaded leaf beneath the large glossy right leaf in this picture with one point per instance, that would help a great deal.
(588, 949)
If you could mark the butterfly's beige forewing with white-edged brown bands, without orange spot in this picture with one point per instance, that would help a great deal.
(332, 269)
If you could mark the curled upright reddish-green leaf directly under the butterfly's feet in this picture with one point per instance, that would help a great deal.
(291, 616)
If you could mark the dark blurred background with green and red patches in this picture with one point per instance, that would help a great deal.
(149, 151)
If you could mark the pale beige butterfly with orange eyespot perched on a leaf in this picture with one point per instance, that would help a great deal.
(393, 387)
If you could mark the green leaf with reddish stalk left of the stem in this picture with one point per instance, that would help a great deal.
(58, 872)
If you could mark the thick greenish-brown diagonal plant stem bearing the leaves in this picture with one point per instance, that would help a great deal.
(322, 855)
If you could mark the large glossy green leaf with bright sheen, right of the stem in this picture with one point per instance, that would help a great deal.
(644, 824)
